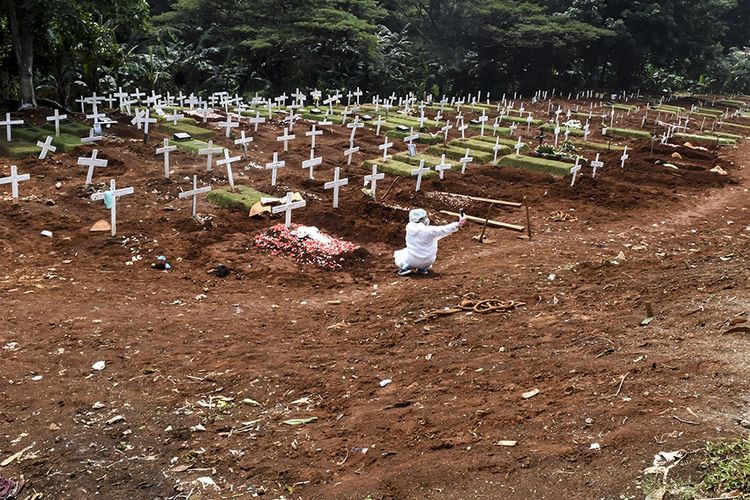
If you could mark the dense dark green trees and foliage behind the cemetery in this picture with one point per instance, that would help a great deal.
(59, 49)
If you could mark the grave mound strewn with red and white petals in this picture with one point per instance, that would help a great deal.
(307, 245)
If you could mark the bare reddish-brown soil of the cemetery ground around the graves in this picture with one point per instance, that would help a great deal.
(272, 381)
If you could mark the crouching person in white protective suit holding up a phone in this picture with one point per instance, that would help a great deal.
(421, 243)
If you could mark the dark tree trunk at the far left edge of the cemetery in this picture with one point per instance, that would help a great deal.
(21, 20)
